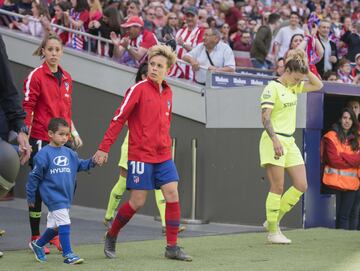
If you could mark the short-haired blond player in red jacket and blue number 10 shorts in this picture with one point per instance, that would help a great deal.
(147, 107)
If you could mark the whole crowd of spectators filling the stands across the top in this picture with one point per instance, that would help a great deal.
(262, 31)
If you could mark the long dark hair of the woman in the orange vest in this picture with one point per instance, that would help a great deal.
(353, 134)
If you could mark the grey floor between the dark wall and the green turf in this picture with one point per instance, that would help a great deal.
(87, 226)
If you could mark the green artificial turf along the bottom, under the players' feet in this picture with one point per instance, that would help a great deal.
(312, 249)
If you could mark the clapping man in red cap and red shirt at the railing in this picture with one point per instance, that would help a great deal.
(132, 49)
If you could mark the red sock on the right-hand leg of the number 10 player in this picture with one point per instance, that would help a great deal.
(172, 217)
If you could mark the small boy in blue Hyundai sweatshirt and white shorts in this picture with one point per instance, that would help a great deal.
(54, 173)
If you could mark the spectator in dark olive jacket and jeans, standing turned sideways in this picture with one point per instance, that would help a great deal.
(261, 45)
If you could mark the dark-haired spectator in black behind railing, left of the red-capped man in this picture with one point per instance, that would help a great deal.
(110, 22)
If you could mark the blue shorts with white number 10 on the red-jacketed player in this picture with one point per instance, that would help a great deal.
(148, 176)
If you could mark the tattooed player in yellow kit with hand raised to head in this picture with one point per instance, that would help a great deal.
(278, 150)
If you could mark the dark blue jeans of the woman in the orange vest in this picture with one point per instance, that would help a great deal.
(344, 204)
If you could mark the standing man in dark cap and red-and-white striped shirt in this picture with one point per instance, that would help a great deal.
(187, 38)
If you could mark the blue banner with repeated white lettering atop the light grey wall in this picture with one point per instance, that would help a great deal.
(238, 80)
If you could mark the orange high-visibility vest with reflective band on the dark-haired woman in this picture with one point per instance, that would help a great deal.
(341, 179)
